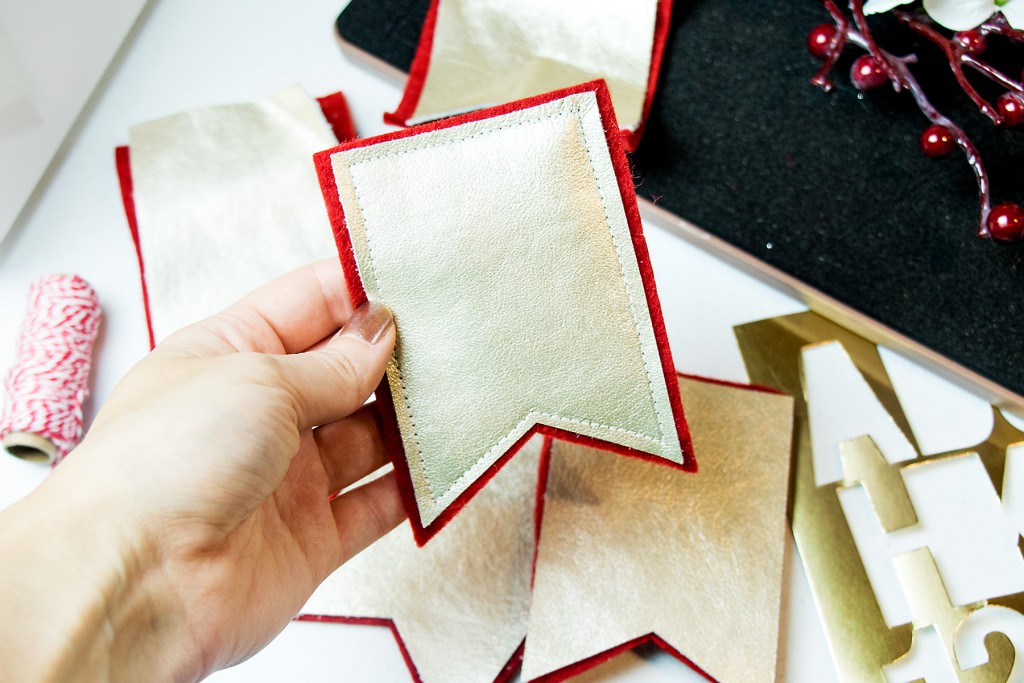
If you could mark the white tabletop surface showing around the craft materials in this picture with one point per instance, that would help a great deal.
(198, 53)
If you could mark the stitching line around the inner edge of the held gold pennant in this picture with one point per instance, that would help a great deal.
(534, 412)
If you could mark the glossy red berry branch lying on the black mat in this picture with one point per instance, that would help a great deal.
(877, 67)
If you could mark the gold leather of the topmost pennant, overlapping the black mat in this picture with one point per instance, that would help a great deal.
(487, 53)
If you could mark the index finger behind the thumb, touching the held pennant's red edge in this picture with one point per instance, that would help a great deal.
(286, 316)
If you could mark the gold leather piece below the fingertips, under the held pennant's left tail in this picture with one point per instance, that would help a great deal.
(460, 603)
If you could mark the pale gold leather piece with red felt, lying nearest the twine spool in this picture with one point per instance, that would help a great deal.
(199, 186)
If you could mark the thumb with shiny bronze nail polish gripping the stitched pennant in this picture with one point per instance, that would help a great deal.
(335, 380)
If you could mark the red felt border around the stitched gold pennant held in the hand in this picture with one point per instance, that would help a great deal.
(393, 438)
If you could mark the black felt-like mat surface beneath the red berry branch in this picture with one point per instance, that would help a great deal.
(831, 189)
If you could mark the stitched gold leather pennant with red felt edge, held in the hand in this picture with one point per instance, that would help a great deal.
(508, 245)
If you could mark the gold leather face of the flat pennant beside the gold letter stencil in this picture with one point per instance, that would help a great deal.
(629, 548)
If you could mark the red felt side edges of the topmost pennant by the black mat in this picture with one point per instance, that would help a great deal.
(421, 66)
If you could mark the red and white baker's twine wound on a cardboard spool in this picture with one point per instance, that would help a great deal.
(50, 382)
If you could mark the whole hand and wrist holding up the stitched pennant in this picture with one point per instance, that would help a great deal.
(195, 520)
